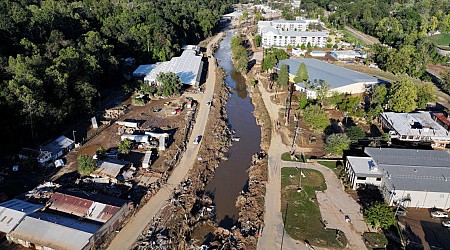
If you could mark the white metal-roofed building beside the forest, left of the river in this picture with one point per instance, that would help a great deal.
(188, 67)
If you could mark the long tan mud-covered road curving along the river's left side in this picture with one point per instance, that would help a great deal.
(136, 225)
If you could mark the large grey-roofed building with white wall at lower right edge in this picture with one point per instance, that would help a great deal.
(415, 178)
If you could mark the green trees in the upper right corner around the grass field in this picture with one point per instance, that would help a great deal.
(401, 25)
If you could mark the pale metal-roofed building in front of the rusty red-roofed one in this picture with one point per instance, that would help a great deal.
(53, 231)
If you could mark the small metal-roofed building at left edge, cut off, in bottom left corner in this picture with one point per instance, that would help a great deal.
(13, 211)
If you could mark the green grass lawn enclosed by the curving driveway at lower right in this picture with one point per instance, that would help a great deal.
(301, 212)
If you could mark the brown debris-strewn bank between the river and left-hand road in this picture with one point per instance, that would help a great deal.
(191, 210)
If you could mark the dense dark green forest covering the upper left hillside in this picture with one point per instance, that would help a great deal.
(57, 55)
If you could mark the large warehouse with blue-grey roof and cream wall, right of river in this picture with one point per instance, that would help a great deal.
(340, 79)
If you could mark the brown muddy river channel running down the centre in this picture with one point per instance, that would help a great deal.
(231, 176)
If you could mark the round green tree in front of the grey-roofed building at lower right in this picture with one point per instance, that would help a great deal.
(379, 215)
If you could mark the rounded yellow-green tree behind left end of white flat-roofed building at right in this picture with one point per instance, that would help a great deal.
(403, 95)
